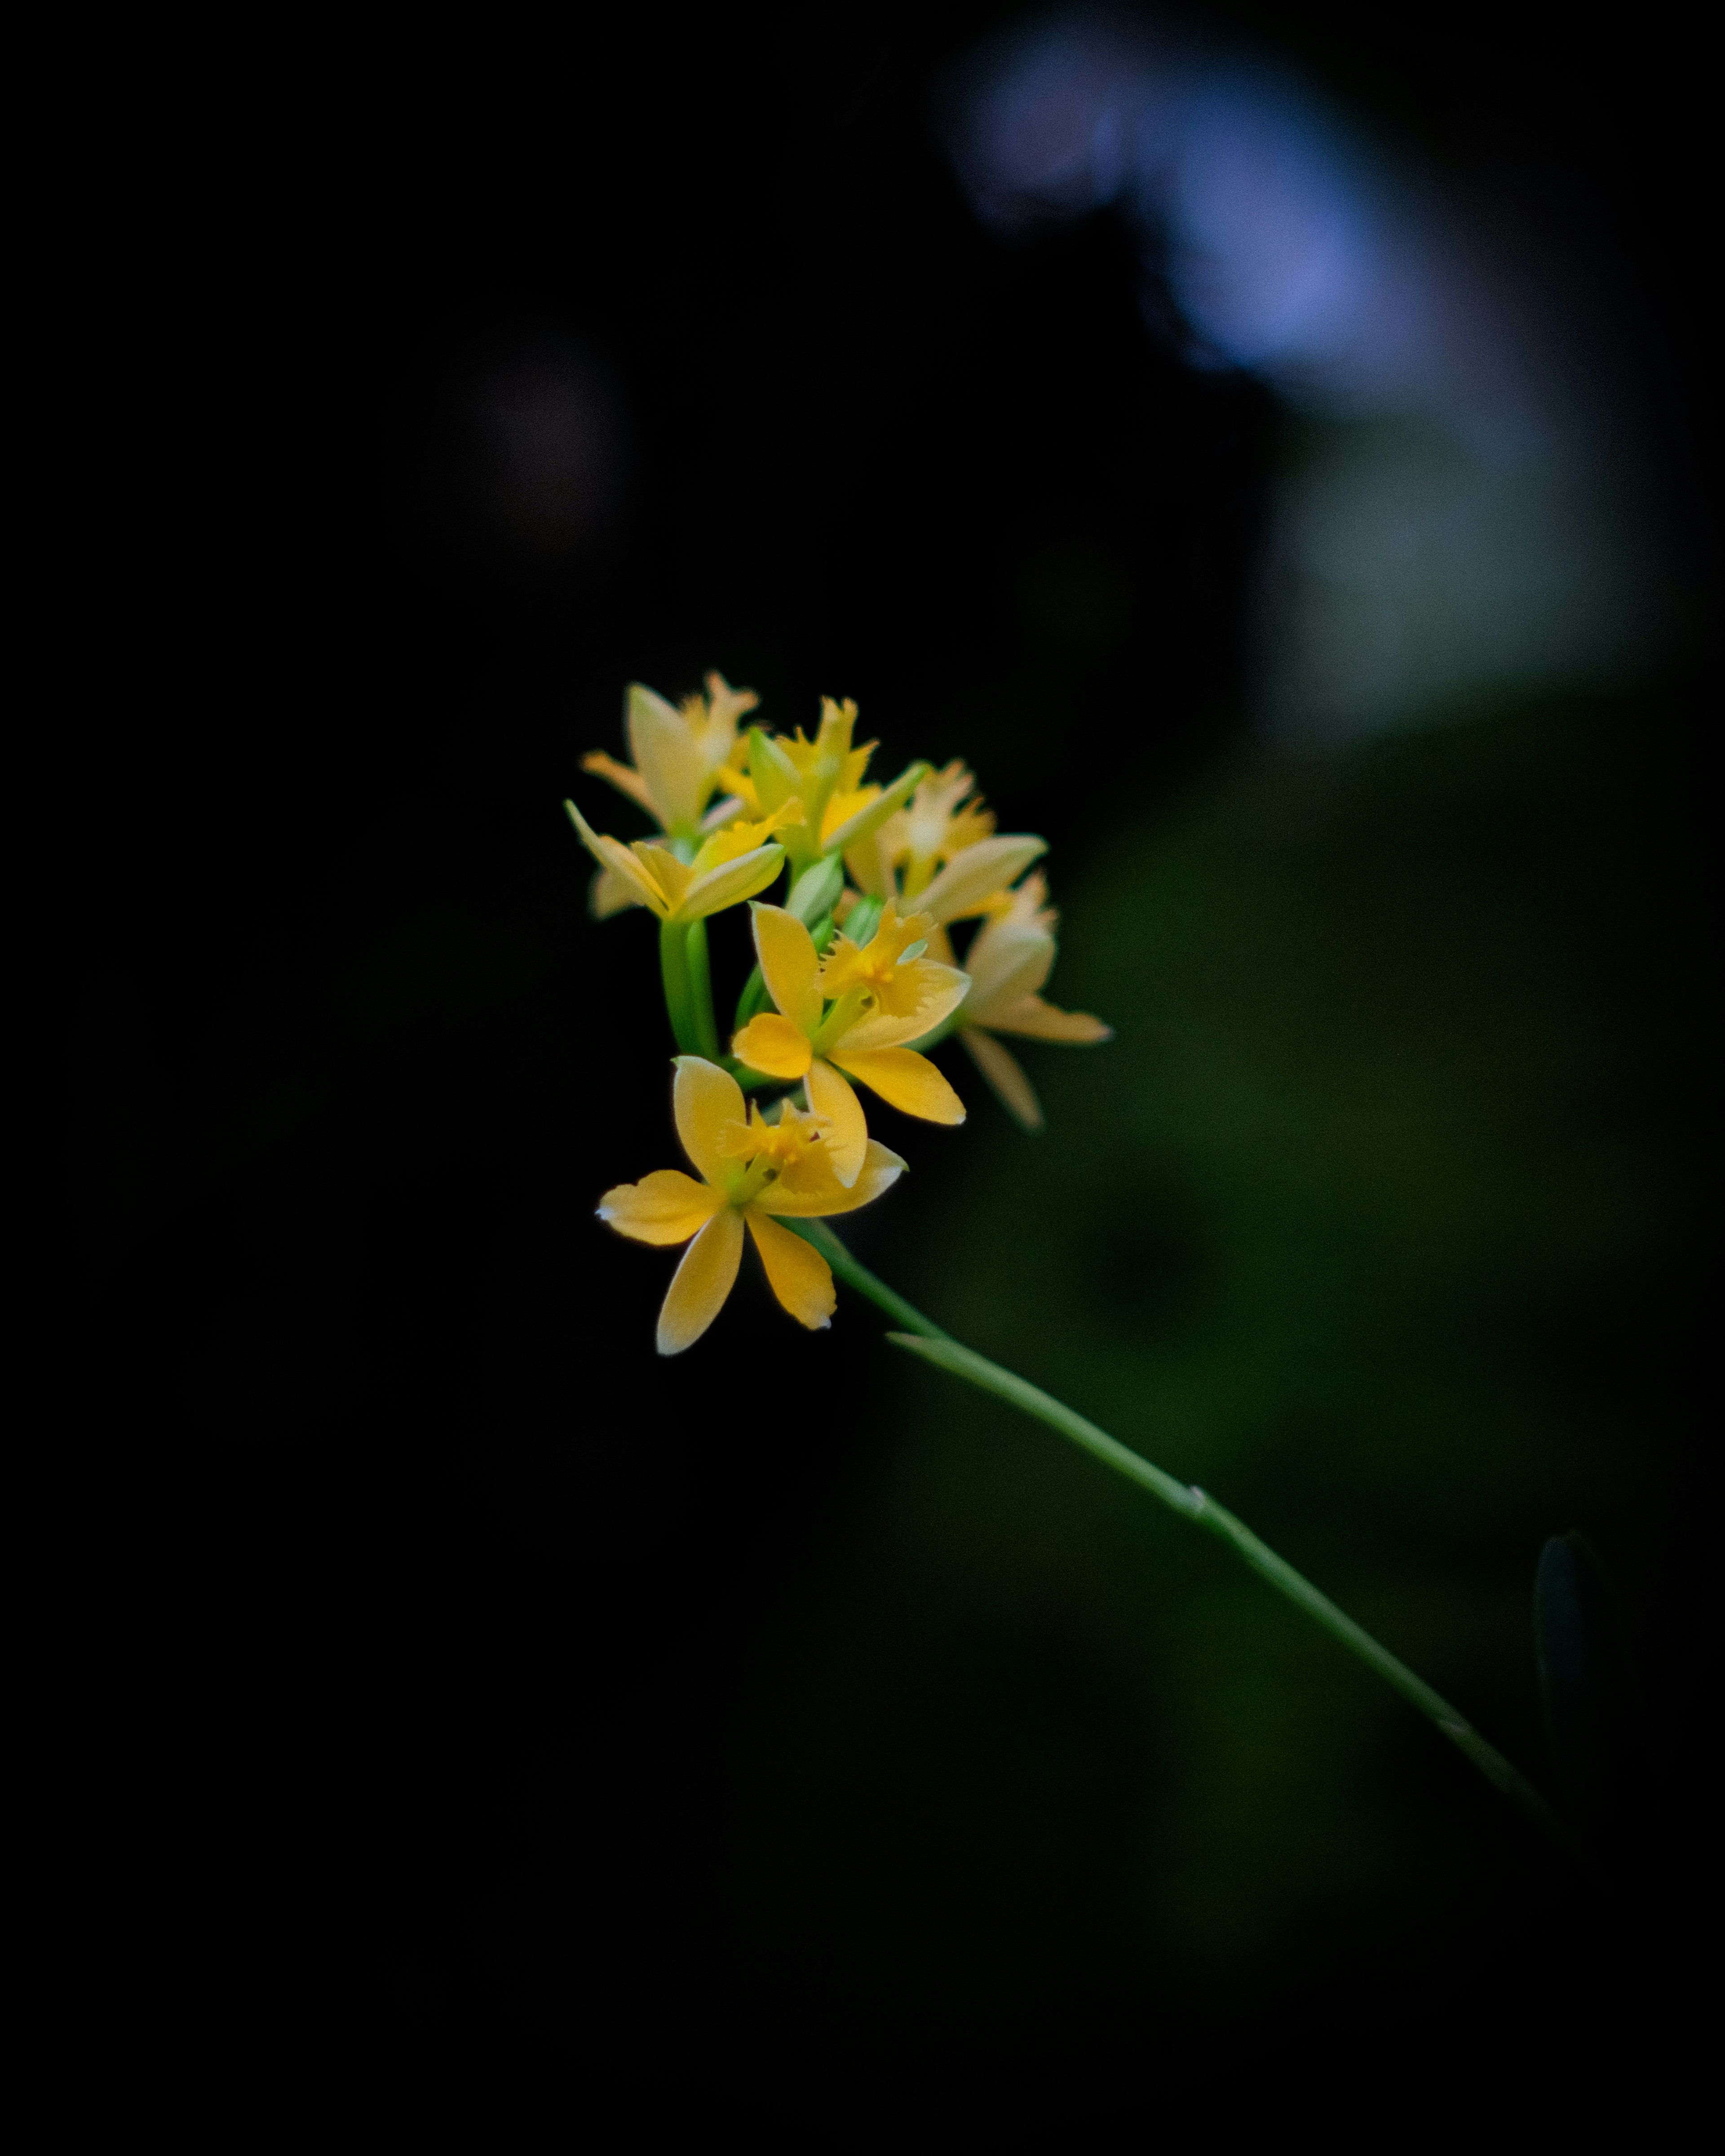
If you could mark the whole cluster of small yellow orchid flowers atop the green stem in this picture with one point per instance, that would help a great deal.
(857, 976)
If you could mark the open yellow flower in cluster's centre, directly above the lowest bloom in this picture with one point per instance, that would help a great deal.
(853, 1014)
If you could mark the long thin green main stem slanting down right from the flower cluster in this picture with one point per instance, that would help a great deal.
(1202, 1510)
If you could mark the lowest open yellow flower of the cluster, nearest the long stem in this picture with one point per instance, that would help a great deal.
(749, 1172)
